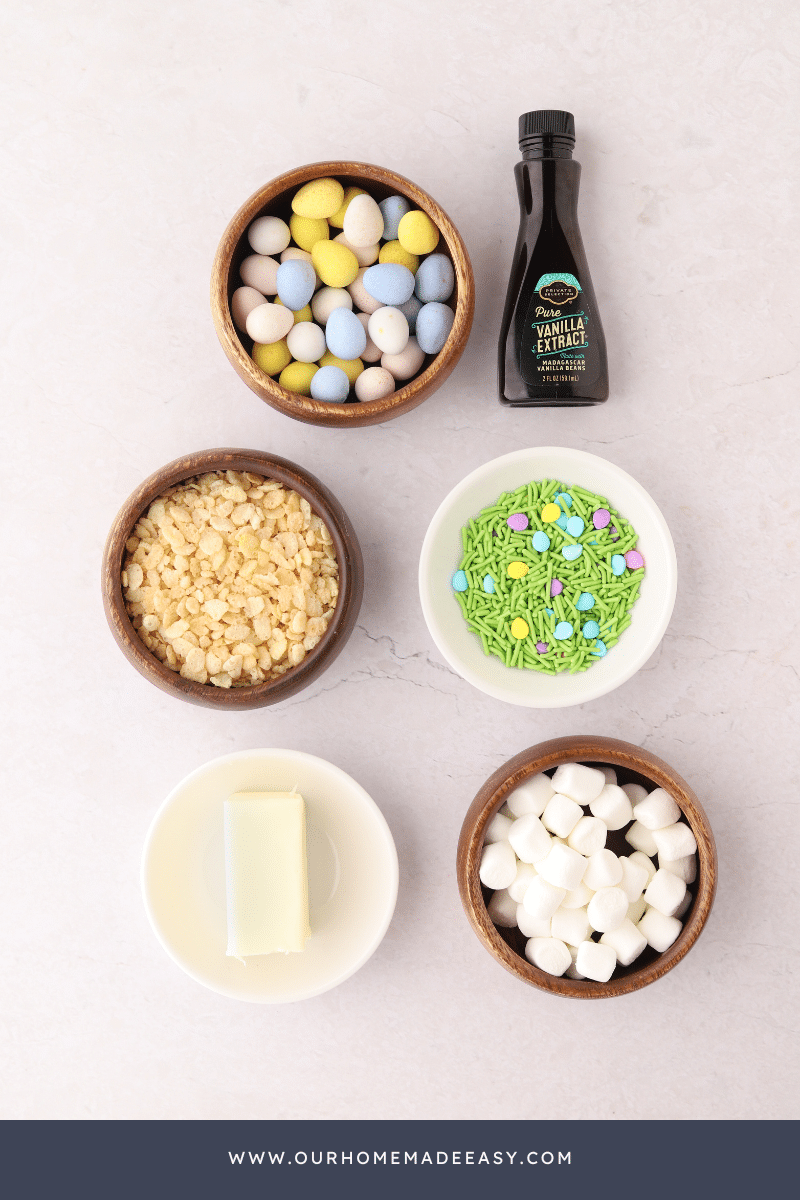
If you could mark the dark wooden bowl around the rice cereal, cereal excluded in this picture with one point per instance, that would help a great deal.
(351, 580)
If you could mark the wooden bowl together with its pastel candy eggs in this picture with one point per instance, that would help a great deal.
(392, 271)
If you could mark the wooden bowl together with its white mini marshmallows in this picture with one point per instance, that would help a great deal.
(590, 895)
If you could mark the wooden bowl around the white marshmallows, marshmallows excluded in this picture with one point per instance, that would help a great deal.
(634, 766)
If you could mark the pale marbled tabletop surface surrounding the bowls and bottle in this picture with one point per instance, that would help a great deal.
(129, 139)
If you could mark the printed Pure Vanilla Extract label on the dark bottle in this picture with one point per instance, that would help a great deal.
(556, 337)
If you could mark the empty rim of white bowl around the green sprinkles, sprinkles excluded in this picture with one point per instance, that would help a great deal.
(442, 553)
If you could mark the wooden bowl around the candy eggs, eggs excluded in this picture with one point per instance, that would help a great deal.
(275, 200)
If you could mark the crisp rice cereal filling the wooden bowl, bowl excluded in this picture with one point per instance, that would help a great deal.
(231, 579)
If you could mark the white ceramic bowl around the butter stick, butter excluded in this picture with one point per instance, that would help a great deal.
(352, 877)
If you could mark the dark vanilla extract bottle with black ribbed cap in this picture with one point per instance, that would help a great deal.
(552, 350)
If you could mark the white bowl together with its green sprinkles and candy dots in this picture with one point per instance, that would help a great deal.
(548, 578)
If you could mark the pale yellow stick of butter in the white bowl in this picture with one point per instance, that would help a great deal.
(266, 873)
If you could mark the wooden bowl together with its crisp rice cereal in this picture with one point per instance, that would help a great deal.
(232, 579)
